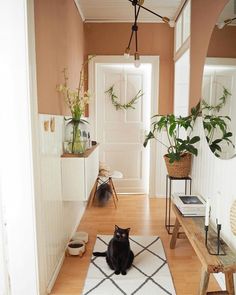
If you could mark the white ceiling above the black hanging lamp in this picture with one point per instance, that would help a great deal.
(123, 11)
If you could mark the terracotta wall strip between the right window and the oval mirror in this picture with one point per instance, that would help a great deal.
(204, 14)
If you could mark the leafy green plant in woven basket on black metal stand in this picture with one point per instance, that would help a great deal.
(179, 148)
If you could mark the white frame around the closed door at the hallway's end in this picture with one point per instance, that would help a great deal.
(111, 59)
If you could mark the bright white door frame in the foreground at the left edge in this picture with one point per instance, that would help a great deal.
(19, 169)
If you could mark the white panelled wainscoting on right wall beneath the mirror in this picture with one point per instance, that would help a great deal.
(215, 178)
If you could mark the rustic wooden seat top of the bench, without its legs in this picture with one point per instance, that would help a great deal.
(195, 231)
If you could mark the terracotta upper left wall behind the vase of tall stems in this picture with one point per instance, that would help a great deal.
(59, 44)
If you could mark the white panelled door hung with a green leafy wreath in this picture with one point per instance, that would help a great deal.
(121, 132)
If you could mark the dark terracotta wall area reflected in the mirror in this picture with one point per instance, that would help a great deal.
(223, 42)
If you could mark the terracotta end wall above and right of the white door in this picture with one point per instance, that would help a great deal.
(154, 39)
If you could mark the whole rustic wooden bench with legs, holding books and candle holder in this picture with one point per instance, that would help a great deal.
(194, 230)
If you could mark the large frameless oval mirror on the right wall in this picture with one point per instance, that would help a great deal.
(219, 86)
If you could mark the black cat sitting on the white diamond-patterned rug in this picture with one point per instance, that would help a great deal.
(119, 256)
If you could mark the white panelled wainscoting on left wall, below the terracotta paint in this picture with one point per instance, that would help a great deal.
(56, 219)
